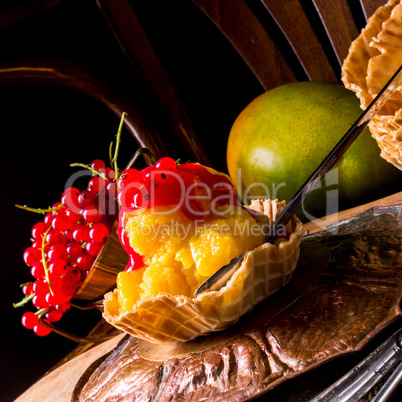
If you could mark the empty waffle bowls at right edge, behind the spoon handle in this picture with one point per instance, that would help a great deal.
(373, 58)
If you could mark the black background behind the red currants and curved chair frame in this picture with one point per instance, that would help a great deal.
(45, 128)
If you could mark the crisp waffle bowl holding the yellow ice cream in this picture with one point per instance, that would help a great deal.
(167, 318)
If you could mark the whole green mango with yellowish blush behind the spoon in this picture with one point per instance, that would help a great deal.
(280, 138)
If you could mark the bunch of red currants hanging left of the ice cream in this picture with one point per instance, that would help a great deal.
(65, 245)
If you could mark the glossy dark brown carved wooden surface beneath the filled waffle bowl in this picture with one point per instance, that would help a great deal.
(340, 308)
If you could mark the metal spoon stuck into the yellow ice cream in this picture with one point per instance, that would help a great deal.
(220, 277)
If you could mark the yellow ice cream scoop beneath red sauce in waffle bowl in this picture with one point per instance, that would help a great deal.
(181, 253)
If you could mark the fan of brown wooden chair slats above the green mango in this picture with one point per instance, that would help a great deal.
(293, 40)
